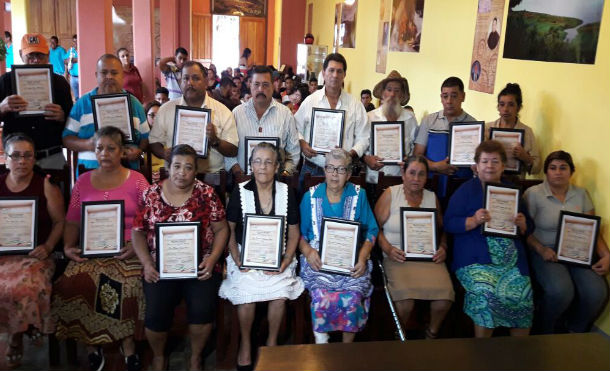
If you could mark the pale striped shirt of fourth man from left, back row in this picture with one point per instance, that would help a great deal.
(277, 121)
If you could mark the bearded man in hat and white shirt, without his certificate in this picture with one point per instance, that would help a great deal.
(394, 93)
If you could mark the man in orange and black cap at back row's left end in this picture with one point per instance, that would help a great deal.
(45, 130)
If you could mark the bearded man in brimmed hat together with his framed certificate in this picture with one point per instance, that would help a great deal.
(386, 147)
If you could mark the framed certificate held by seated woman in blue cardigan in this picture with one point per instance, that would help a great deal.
(502, 202)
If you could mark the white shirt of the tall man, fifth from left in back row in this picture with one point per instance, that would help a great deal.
(357, 128)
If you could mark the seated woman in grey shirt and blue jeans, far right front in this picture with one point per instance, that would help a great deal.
(583, 289)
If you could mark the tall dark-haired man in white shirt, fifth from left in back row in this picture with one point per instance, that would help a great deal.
(356, 127)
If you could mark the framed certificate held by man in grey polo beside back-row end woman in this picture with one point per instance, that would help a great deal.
(464, 139)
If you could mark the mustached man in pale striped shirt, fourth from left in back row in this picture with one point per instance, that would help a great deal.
(262, 116)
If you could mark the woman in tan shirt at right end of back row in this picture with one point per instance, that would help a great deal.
(518, 138)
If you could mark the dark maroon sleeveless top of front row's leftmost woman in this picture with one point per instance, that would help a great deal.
(34, 189)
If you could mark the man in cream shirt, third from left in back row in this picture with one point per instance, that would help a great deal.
(220, 129)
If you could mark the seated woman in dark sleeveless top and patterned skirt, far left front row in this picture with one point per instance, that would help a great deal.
(25, 280)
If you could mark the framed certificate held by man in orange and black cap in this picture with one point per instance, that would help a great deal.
(34, 83)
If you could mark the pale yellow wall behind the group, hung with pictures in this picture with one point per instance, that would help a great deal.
(565, 104)
